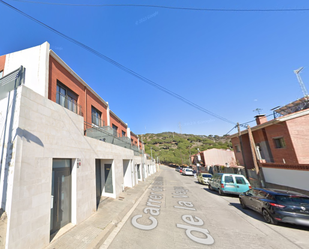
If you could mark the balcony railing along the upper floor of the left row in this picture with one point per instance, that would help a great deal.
(109, 135)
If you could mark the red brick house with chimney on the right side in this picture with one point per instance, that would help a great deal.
(282, 140)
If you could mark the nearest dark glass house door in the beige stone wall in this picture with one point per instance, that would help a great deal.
(61, 194)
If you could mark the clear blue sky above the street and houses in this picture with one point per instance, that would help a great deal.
(228, 63)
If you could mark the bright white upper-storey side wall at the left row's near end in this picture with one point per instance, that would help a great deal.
(36, 62)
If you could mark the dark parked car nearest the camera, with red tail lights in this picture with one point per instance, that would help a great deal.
(277, 205)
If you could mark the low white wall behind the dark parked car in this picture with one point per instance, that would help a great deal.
(292, 178)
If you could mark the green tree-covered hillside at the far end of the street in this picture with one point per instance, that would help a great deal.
(176, 148)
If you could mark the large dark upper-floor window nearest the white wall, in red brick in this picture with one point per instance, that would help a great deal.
(66, 97)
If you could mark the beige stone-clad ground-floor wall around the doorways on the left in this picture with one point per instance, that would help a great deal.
(45, 131)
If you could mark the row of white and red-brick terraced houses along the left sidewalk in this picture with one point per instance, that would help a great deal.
(55, 166)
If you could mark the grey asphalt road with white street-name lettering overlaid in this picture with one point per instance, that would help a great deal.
(178, 212)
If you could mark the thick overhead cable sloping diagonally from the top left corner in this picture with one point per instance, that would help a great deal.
(122, 67)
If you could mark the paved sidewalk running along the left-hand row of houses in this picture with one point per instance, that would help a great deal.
(92, 232)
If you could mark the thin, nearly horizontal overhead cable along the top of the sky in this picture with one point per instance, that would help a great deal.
(168, 7)
